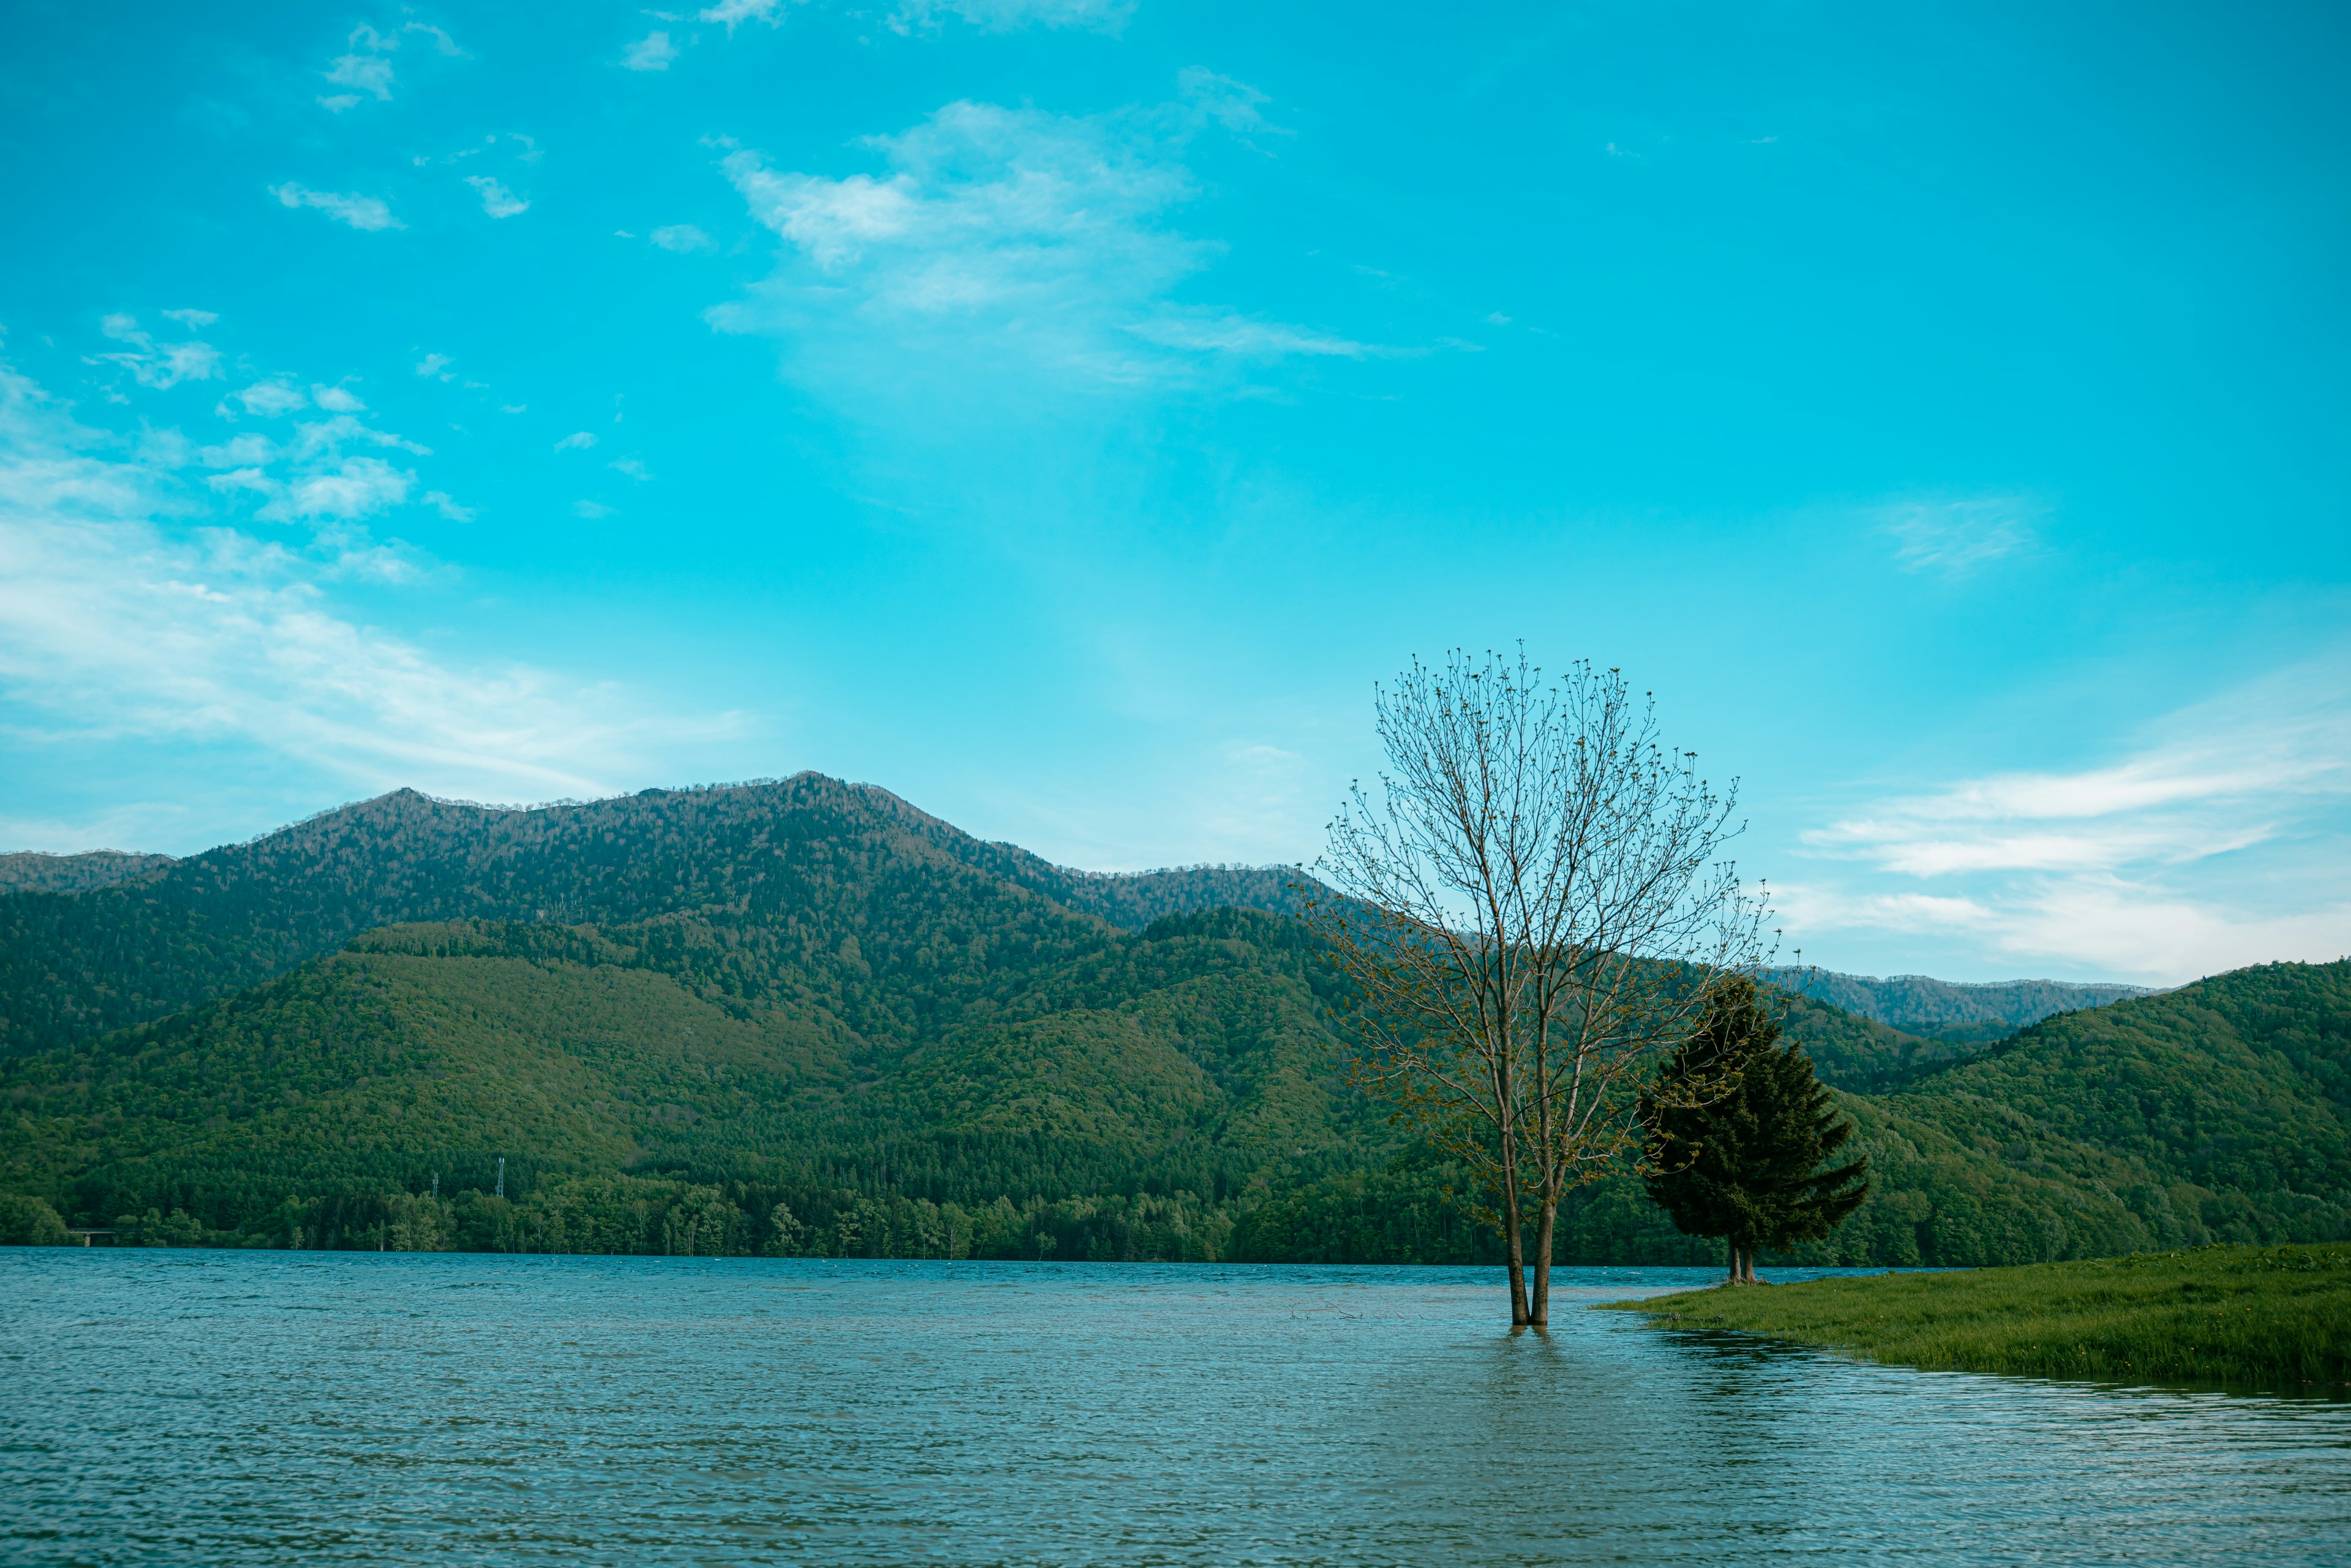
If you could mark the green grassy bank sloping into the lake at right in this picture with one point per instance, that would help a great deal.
(2272, 1318)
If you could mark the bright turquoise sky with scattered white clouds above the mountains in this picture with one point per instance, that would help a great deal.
(1066, 413)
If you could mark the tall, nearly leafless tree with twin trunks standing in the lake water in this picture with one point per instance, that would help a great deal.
(1529, 911)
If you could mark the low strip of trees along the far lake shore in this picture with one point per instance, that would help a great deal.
(1412, 1212)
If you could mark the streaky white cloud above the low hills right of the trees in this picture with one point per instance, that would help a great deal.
(2218, 840)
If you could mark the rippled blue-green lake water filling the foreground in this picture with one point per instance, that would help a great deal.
(168, 1407)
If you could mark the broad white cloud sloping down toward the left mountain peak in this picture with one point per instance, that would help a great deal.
(128, 617)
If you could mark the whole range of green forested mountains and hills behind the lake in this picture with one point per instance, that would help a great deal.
(810, 1019)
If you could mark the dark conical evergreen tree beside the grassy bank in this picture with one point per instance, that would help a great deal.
(1739, 1134)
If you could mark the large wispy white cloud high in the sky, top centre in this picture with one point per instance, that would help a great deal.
(1007, 239)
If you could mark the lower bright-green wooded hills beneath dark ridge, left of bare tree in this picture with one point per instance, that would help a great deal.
(1188, 1059)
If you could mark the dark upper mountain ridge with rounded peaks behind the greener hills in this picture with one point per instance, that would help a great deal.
(735, 866)
